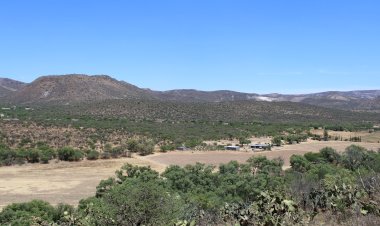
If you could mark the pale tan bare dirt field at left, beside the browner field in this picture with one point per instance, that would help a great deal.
(61, 182)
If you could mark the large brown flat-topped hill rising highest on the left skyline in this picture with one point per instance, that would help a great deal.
(75, 88)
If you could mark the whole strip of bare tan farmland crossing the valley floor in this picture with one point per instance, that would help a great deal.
(65, 182)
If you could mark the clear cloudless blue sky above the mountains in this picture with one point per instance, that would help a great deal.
(259, 46)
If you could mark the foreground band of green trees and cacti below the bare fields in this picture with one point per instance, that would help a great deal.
(325, 187)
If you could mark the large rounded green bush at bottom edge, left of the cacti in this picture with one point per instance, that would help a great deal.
(136, 202)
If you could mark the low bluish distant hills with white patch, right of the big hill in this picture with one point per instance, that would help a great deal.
(366, 100)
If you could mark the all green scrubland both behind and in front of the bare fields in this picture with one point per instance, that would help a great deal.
(335, 188)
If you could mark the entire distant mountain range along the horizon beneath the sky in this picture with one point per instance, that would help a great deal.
(75, 88)
